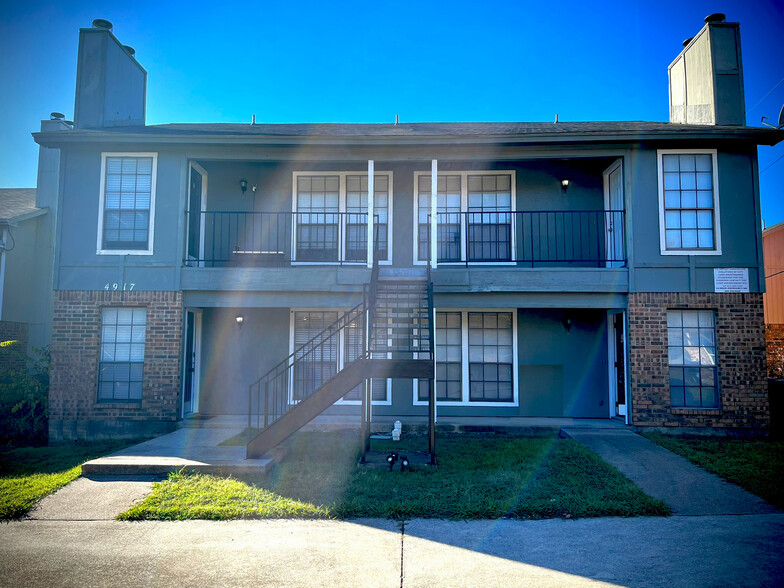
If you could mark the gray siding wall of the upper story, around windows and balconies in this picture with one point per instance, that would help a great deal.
(537, 189)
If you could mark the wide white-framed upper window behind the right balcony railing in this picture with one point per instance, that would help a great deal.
(474, 216)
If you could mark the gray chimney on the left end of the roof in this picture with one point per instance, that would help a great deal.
(111, 86)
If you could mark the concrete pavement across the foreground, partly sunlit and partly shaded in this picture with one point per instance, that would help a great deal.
(645, 552)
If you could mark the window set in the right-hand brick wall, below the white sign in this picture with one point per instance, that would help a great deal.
(691, 343)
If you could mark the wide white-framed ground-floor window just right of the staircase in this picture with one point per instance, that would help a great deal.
(475, 358)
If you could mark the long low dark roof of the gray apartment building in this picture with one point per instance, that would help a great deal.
(521, 132)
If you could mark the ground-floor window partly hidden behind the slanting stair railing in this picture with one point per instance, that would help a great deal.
(314, 368)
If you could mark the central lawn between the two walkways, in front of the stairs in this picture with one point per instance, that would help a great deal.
(478, 476)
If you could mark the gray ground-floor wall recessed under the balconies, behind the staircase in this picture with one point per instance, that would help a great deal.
(561, 374)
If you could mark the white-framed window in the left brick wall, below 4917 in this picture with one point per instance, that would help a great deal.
(121, 363)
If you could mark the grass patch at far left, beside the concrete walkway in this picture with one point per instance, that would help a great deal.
(27, 474)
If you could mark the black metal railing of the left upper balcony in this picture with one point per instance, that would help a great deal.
(217, 238)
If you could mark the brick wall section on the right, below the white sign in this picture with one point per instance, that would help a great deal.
(741, 361)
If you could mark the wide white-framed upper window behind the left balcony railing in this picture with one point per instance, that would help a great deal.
(331, 216)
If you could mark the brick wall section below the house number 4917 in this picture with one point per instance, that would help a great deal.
(74, 410)
